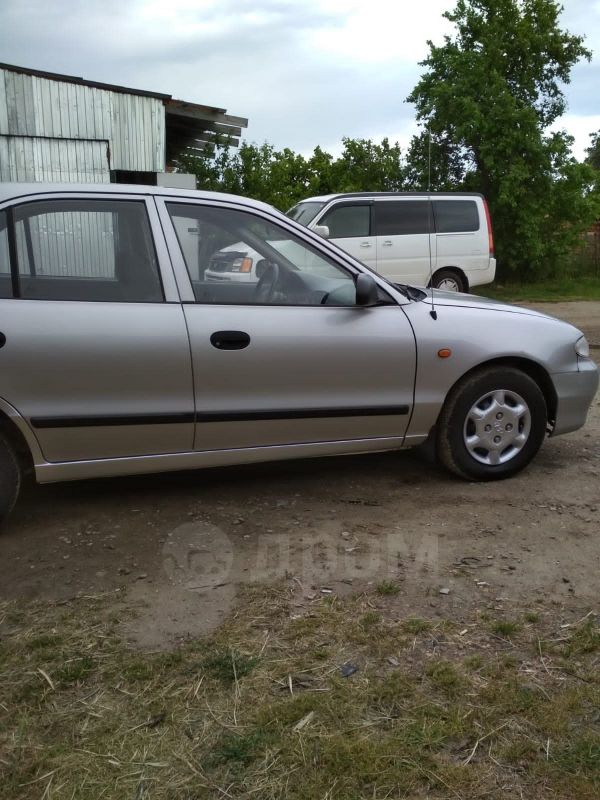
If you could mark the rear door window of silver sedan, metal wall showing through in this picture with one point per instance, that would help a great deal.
(94, 250)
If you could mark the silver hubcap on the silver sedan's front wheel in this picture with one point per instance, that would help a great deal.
(497, 427)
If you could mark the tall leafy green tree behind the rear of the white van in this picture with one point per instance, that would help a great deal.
(489, 95)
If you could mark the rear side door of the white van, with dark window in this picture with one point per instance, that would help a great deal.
(403, 236)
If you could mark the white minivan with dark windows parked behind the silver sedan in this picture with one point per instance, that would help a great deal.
(435, 238)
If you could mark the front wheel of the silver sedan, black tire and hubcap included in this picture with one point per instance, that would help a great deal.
(492, 424)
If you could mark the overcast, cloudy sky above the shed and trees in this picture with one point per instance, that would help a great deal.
(305, 73)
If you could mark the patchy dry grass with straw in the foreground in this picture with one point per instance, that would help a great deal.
(261, 710)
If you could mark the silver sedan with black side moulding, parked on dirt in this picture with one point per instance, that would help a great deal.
(119, 355)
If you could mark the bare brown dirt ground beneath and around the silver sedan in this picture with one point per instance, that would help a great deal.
(177, 547)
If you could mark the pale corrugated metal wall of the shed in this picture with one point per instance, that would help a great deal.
(75, 132)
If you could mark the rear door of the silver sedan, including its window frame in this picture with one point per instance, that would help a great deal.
(96, 356)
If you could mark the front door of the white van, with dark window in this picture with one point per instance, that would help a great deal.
(350, 227)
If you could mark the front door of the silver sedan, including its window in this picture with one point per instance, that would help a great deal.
(291, 359)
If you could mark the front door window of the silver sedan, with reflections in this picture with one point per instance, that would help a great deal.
(236, 257)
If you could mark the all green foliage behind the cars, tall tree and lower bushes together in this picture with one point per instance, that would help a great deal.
(485, 102)
